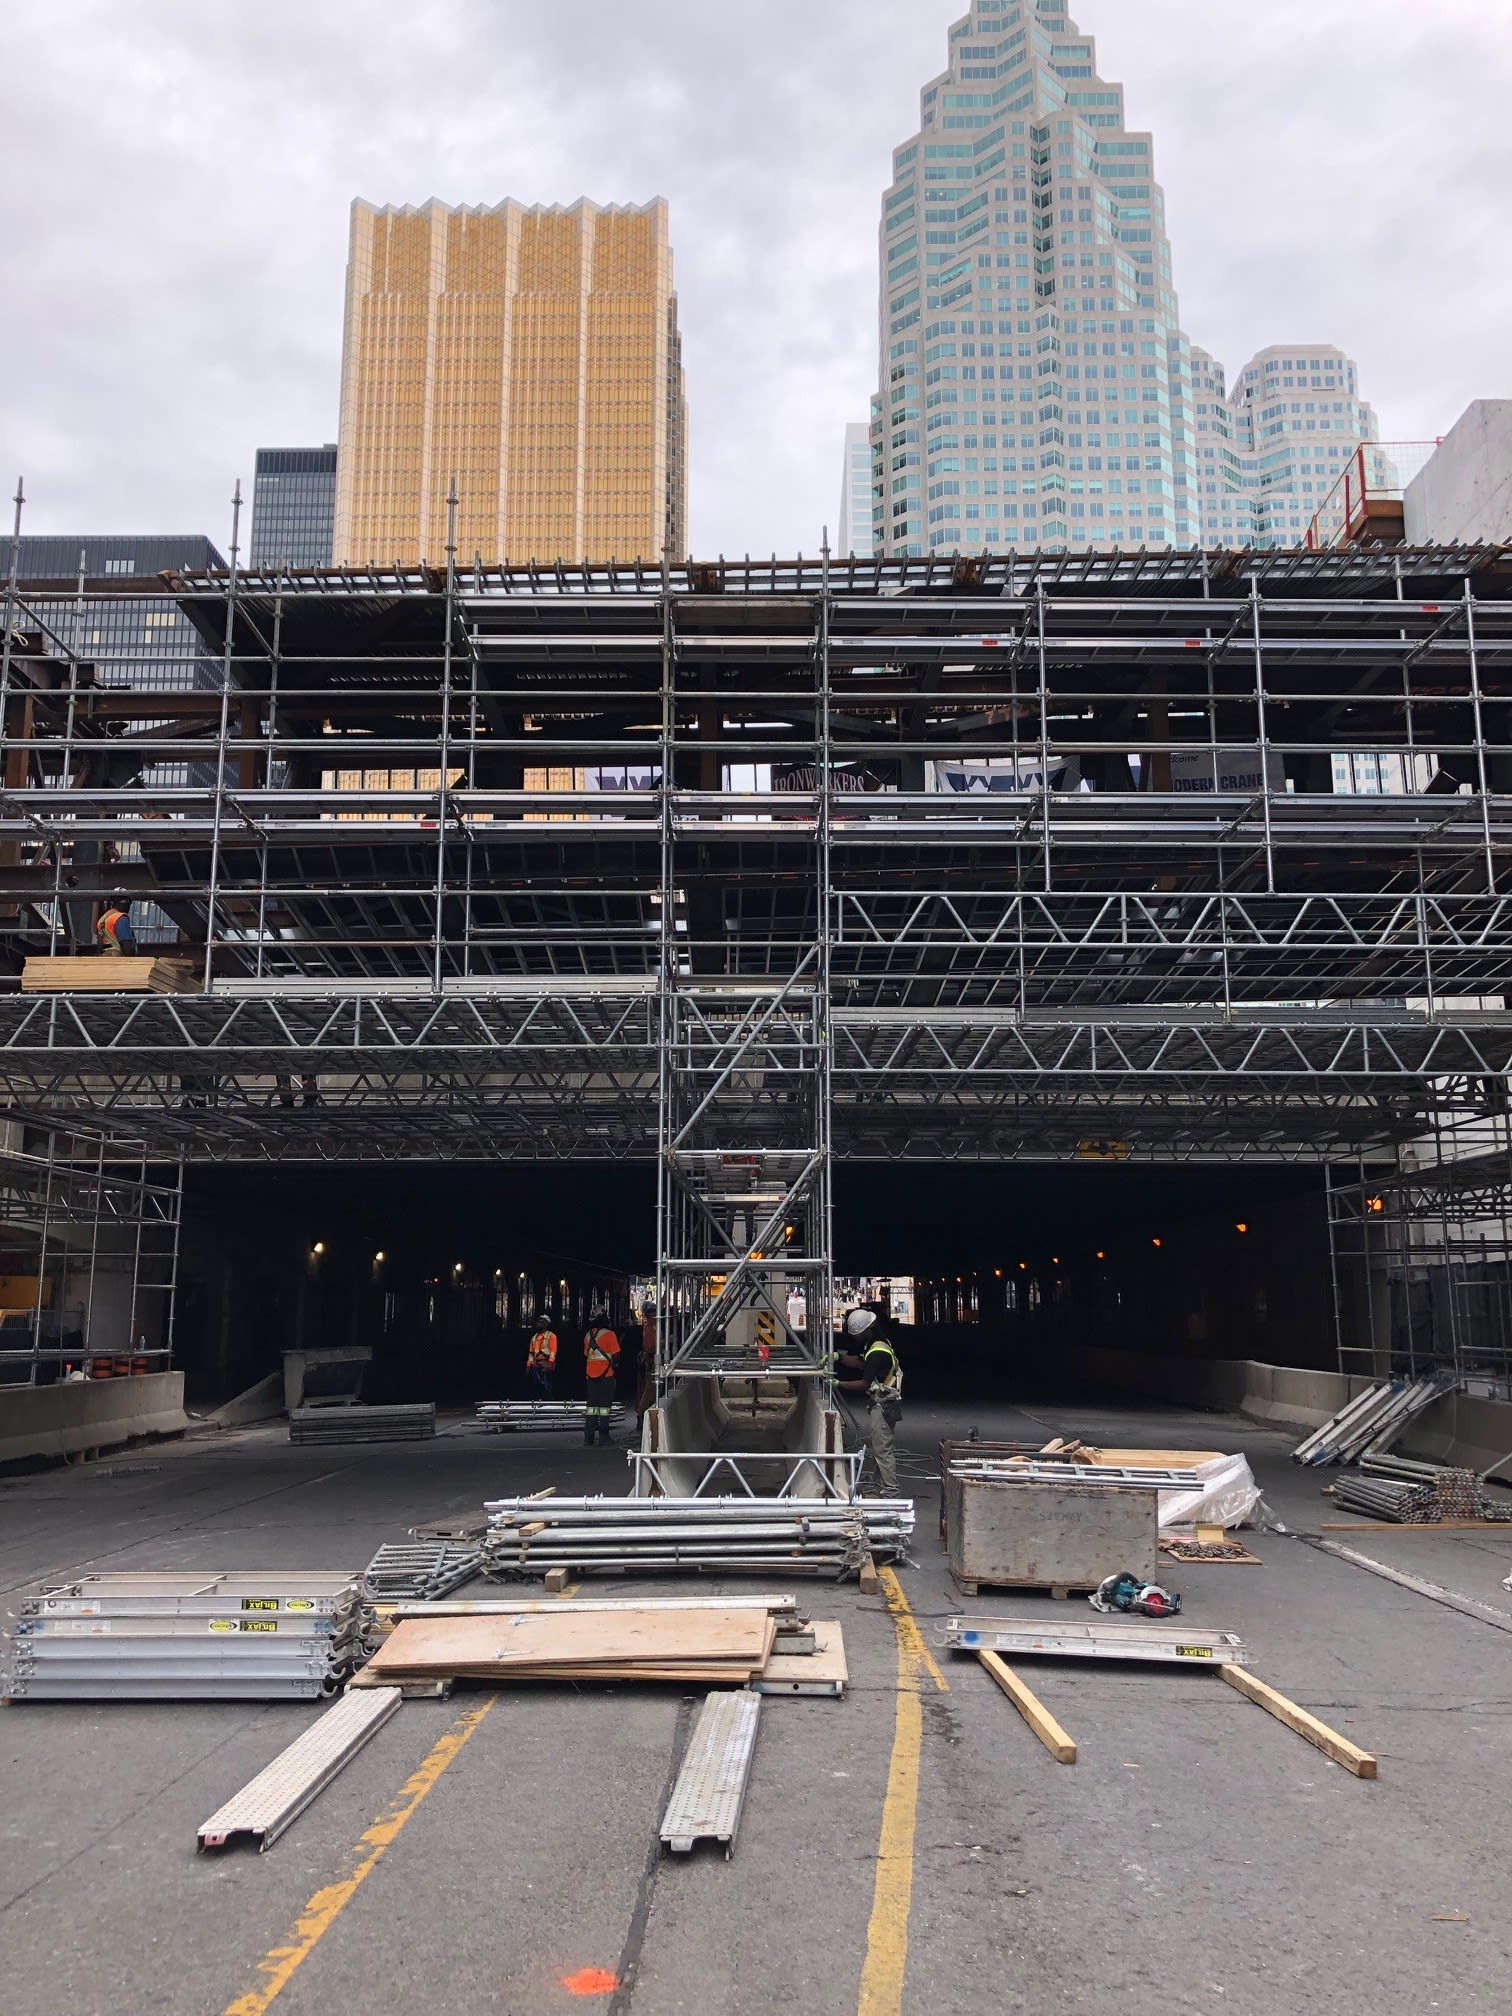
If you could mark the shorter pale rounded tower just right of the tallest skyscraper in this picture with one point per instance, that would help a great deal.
(1273, 447)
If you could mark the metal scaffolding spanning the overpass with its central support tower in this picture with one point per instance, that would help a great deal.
(755, 866)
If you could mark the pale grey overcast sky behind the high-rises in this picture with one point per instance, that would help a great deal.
(176, 184)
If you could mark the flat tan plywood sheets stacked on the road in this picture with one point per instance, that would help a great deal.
(709, 1646)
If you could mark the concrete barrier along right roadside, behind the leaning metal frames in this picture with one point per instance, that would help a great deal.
(1457, 1430)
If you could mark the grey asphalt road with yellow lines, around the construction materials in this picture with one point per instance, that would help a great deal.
(1199, 1858)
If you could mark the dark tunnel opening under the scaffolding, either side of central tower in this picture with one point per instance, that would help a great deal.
(999, 1281)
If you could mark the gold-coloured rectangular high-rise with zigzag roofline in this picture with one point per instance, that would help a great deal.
(533, 356)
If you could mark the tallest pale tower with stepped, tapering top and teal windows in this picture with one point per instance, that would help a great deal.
(1035, 380)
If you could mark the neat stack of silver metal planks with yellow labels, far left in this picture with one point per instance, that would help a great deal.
(134, 1636)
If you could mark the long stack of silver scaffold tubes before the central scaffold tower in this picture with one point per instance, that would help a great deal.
(531, 1537)
